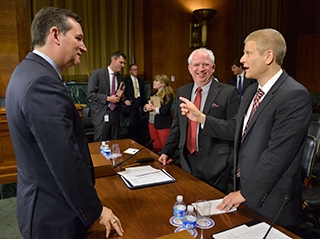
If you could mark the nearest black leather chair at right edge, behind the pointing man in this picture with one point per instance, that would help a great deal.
(310, 196)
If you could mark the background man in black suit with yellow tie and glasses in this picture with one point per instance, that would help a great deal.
(135, 99)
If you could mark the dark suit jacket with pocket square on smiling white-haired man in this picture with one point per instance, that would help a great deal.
(216, 155)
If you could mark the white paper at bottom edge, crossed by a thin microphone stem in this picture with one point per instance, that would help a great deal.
(248, 232)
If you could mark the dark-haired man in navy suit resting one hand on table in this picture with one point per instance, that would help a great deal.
(55, 189)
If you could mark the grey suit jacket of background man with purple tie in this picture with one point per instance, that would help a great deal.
(98, 90)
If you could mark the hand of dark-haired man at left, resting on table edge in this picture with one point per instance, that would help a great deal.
(109, 220)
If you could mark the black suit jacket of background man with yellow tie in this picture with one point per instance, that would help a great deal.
(129, 95)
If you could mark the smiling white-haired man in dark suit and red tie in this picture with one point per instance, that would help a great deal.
(212, 159)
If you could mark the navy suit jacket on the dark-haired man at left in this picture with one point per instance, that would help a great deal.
(54, 187)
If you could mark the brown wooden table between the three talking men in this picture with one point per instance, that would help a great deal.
(145, 212)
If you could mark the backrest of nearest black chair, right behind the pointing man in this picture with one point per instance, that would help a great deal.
(309, 157)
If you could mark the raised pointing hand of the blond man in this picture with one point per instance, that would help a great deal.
(191, 111)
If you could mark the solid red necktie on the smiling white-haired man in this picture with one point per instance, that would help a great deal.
(192, 126)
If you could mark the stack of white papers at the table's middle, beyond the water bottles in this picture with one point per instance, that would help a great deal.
(143, 176)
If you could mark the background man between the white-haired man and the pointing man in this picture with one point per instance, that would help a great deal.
(239, 79)
